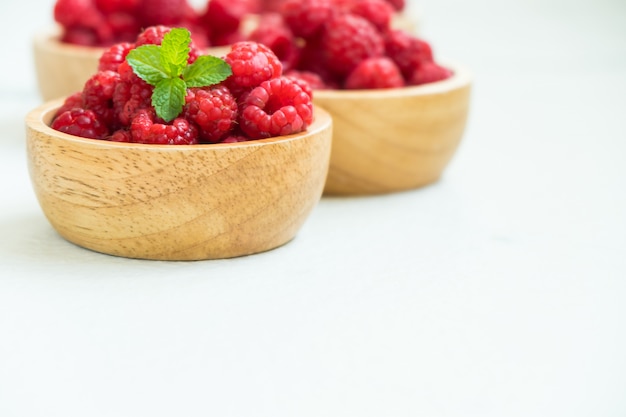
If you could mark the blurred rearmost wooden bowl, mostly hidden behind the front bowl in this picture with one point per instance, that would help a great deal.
(62, 69)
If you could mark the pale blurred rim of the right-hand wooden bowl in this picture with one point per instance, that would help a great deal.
(461, 77)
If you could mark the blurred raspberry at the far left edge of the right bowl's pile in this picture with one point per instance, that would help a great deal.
(274, 33)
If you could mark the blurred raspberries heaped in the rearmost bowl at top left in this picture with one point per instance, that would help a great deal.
(106, 22)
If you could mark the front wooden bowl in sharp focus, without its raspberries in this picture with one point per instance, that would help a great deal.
(187, 202)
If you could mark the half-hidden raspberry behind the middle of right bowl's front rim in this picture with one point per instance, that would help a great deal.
(375, 73)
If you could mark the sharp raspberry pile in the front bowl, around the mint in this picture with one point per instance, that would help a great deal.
(257, 101)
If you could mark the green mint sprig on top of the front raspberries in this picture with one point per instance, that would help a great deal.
(165, 67)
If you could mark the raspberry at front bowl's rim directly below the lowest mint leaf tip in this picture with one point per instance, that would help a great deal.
(144, 129)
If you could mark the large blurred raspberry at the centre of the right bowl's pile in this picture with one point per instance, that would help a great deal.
(347, 40)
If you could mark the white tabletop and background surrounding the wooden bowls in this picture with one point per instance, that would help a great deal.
(497, 292)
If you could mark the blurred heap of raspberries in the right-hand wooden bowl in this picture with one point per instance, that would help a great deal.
(346, 44)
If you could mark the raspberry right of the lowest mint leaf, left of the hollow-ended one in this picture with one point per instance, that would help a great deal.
(213, 110)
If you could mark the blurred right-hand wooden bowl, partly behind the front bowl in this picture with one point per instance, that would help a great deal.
(394, 139)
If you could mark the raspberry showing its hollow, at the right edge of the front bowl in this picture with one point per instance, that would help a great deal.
(277, 107)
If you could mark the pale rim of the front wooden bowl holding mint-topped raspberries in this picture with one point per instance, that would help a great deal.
(38, 118)
